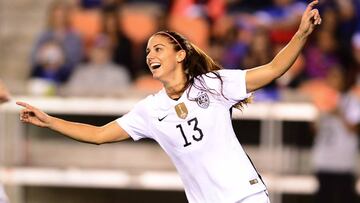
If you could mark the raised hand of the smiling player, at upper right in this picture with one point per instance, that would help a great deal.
(310, 19)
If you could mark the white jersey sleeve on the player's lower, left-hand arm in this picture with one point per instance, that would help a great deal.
(134, 122)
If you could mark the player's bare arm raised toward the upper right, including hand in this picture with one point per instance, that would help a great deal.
(260, 76)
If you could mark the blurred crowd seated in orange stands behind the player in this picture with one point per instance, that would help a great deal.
(97, 47)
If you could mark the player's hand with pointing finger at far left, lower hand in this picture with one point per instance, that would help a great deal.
(33, 115)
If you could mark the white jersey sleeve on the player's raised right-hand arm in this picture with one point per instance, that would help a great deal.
(234, 85)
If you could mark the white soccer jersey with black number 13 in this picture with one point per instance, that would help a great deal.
(197, 133)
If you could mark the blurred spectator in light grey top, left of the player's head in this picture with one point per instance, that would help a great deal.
(112, 79)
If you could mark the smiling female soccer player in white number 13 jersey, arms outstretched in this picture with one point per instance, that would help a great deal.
(190, 116)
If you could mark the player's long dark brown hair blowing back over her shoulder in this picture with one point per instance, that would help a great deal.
(196, 65)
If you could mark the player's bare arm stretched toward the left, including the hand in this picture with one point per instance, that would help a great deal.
(110, 132)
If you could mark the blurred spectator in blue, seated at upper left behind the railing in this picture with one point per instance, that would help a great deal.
(58, 49)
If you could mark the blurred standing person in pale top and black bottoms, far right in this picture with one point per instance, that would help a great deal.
(335, 148)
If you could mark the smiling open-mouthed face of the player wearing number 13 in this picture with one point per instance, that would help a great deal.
(162, 59)
